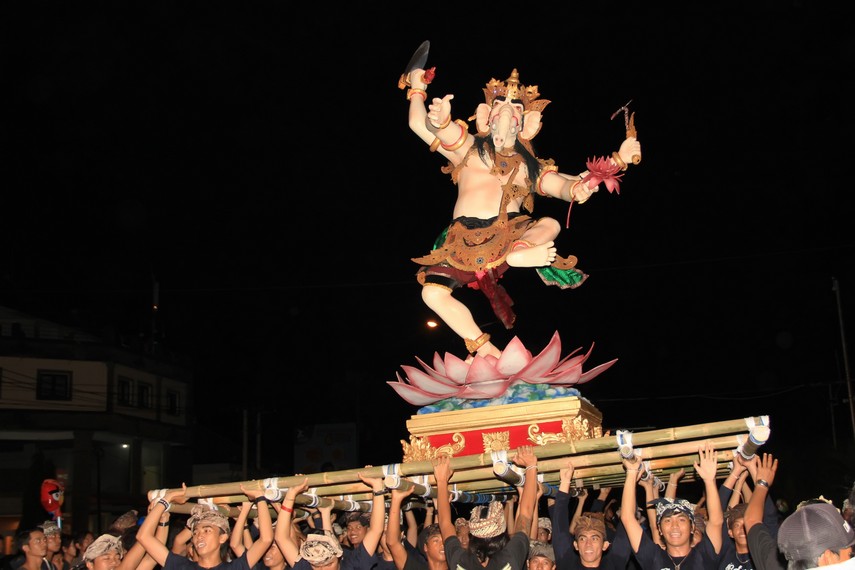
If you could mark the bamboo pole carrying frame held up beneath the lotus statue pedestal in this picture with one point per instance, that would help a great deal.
(597, 463)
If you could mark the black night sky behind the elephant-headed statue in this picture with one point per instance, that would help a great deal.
(254, 161)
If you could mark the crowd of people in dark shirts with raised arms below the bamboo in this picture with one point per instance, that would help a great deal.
(736, 525)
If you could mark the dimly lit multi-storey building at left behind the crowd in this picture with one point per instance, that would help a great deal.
(108, 421)
